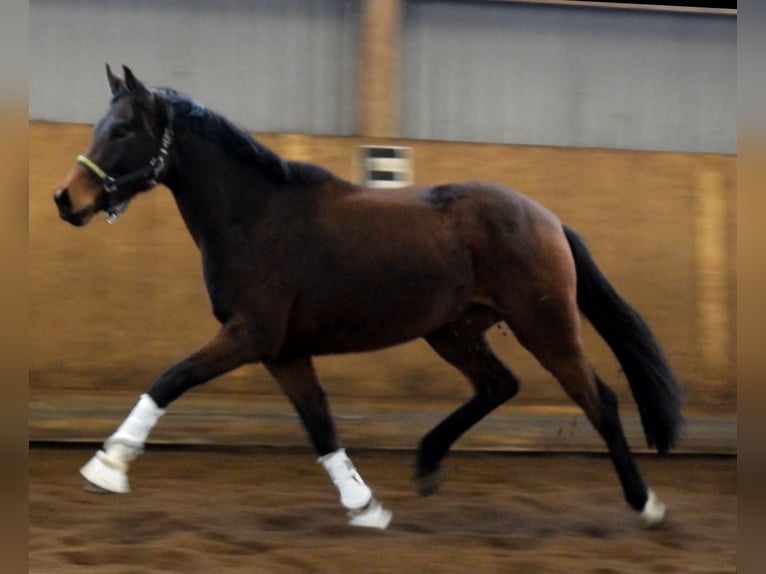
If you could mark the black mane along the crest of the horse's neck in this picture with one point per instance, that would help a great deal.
(237, 141)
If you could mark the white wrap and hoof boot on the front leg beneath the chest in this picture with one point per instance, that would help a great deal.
(355, 495)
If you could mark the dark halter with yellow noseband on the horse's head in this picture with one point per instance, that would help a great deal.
(148, 175)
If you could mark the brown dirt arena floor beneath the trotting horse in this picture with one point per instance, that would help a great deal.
(274, 511)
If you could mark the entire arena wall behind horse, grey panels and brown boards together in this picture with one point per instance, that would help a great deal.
(621, 122)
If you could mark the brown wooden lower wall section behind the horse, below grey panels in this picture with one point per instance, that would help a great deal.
(112, 306)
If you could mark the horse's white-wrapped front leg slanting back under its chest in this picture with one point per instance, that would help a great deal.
(299, 381)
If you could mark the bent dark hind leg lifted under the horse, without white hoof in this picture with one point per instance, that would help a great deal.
(463, 345)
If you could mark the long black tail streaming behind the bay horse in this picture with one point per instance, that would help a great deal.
(655, 388)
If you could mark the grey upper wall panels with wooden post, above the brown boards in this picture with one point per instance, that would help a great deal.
(520, 73)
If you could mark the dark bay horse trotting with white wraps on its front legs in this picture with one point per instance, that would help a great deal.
(299, 262)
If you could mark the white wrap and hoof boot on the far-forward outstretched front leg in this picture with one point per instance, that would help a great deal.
(107, 470)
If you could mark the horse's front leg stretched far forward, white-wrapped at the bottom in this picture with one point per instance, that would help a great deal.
(107, 471)
